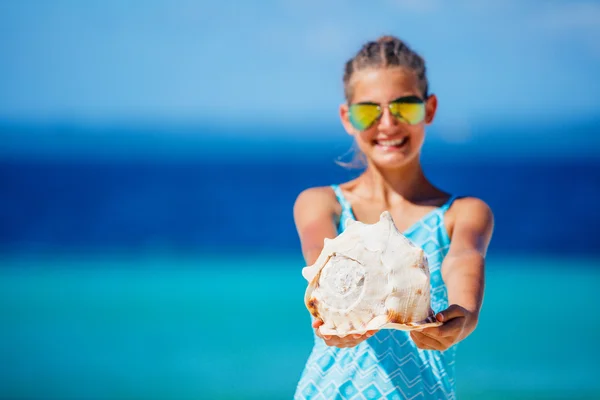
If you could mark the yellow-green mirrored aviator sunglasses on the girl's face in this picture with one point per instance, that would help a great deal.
(409, 110)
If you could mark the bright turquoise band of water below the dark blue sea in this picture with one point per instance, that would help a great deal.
(227, 327)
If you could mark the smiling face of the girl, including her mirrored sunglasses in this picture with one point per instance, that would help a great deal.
(390, 141)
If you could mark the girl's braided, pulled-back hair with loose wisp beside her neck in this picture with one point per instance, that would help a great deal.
(387, 51)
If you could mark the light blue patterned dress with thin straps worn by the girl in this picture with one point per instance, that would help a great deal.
(388, 365)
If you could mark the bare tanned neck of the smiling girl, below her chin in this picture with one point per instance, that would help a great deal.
(392, 186)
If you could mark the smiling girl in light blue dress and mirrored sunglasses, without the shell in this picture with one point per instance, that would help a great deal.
(387, 107)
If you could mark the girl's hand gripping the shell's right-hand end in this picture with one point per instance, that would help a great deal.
(458, 322)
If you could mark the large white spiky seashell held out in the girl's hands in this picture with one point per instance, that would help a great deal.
(369, 277)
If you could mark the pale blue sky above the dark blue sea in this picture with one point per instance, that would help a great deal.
(275, 62)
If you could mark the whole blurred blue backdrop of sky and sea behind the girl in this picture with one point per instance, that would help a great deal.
(151, 152)
